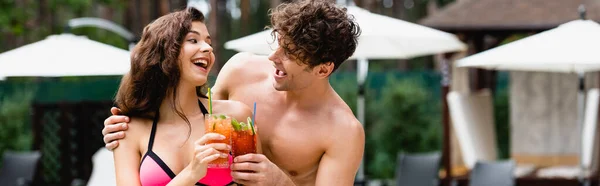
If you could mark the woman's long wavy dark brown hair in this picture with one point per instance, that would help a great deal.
(154, 72)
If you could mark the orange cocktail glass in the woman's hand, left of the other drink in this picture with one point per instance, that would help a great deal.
(220, 124)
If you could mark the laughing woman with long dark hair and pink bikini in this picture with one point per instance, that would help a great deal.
(166, 143)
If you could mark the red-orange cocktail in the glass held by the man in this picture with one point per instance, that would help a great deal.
(244, 138)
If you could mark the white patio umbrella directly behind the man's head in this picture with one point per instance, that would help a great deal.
(382, 37)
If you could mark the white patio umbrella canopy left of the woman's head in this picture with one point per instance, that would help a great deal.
(64, 55)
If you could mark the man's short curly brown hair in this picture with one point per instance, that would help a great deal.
(315, 32)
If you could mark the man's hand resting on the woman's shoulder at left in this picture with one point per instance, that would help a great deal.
(114, 128)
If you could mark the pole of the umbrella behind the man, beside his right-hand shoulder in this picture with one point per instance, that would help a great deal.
(361, 76)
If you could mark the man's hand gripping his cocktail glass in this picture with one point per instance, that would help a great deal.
(256, 169)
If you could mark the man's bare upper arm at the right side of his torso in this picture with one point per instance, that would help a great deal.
(342, 158)
